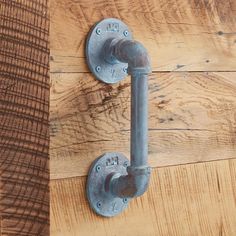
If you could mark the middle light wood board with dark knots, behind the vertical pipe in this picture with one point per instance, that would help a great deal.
(192, 118)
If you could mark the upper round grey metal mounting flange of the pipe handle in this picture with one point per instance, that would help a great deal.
(99, 34)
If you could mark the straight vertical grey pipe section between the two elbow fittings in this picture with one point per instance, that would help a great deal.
(139, 120)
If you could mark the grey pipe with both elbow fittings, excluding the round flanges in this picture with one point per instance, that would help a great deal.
(133, 53)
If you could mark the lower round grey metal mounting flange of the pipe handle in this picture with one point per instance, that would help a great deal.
(102, 202)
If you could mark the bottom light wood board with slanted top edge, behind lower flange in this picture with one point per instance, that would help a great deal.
(194, 199)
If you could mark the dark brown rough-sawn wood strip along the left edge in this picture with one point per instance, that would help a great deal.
(24, 111)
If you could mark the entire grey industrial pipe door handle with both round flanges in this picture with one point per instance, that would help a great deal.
(112, 180)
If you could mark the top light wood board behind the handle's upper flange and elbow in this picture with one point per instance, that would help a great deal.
(179, 34)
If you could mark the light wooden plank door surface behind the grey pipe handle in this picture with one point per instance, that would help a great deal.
(192, 118)
